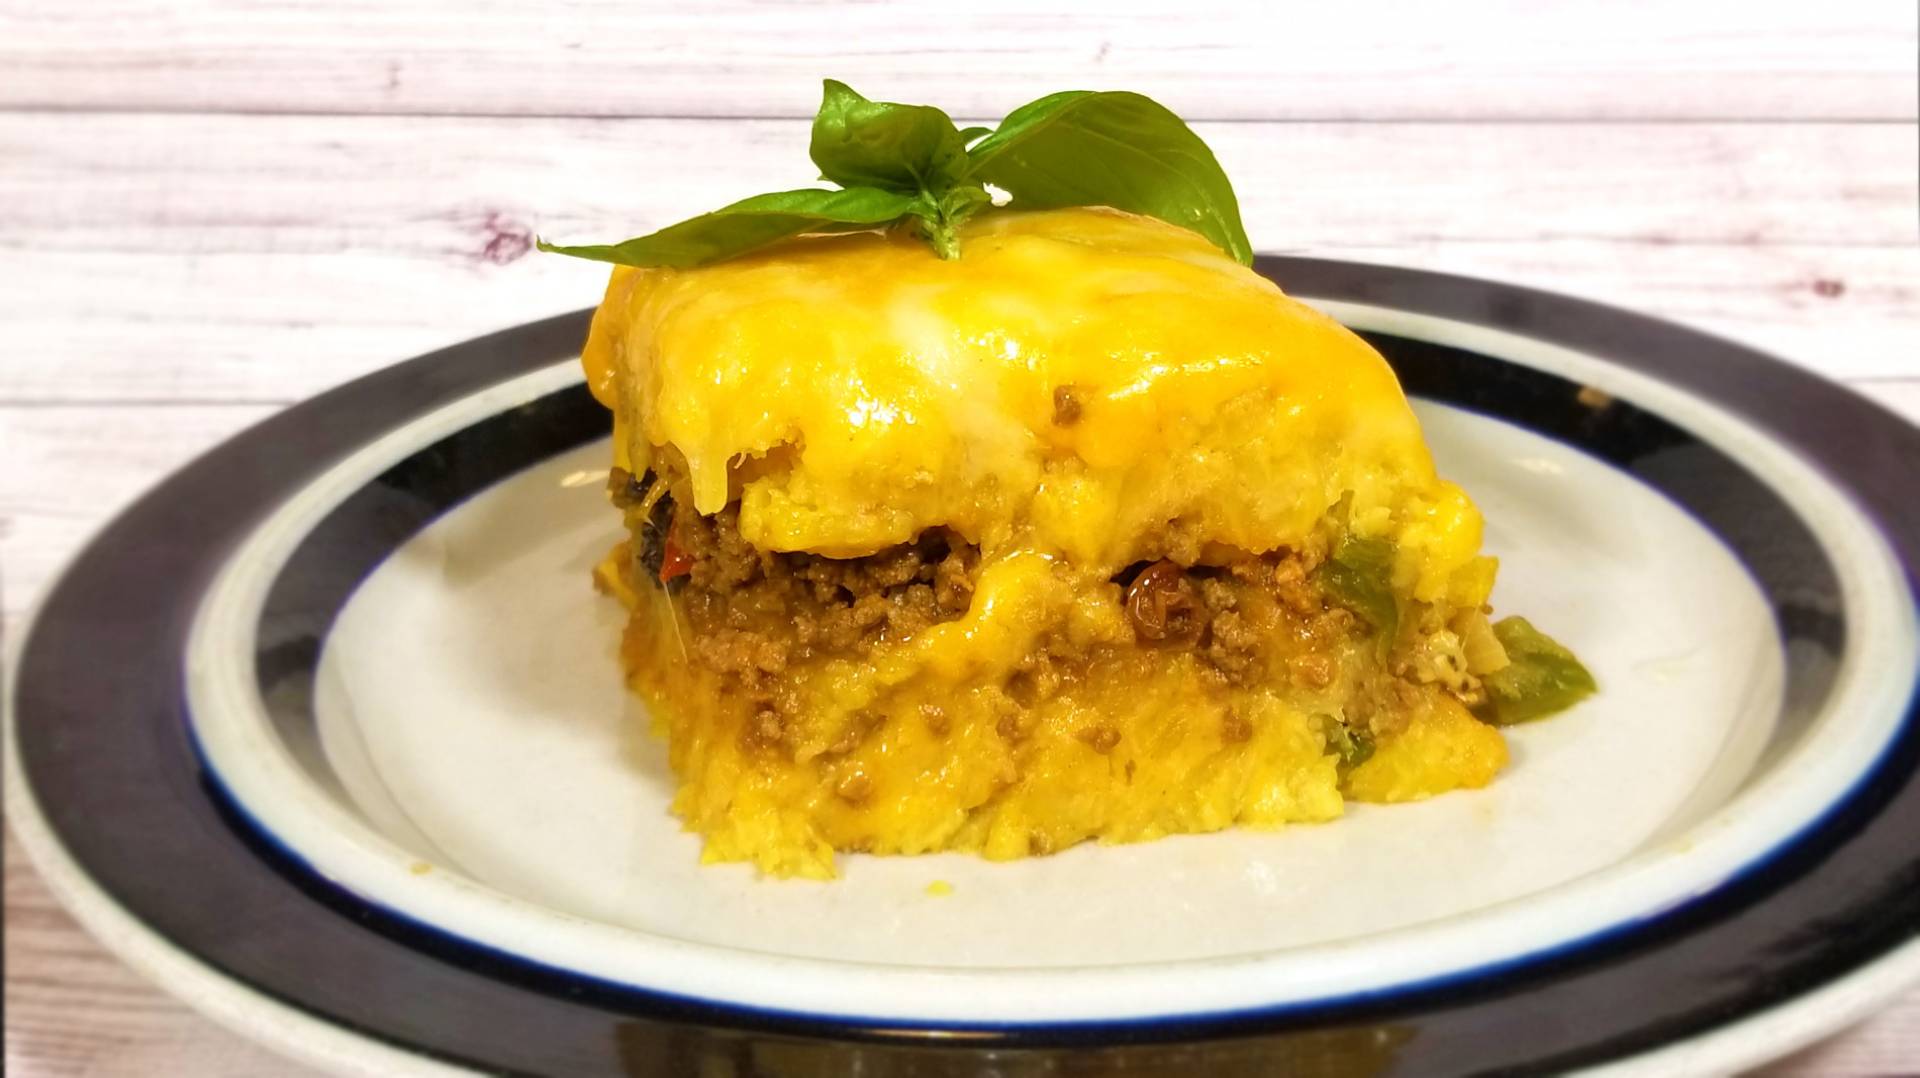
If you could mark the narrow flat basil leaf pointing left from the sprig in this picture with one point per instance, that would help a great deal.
(752, 224)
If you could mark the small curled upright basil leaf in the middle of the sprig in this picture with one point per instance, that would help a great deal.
(861, 143)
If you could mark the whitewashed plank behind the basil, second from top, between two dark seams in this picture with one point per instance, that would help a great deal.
(277, 257)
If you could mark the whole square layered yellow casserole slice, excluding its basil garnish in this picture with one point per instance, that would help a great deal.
(1088, 535)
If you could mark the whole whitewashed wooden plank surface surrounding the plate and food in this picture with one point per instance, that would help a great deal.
(210, 210)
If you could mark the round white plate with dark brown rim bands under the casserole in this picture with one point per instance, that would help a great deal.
(327, 735)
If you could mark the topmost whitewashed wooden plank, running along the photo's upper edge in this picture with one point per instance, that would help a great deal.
(1356, 61)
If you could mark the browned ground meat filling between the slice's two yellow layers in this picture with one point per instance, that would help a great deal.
(756, 614)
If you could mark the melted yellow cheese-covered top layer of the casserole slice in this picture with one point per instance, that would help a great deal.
(855, 391)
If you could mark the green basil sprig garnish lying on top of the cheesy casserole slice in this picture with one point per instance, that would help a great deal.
(911, 166)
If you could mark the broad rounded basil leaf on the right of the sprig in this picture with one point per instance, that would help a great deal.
(1113, 149)
